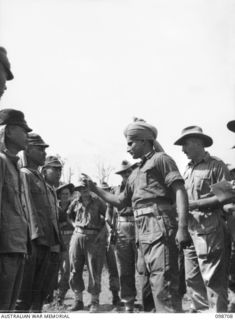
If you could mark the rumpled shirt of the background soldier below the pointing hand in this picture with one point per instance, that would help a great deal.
(90, 216)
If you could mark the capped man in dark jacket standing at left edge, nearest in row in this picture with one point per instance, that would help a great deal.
(13, 220)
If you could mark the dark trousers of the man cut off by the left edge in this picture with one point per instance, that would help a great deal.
(11, 275)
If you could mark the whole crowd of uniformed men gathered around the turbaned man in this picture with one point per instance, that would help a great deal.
(177, 232)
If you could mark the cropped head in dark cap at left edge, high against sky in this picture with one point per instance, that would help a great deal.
(5, 71)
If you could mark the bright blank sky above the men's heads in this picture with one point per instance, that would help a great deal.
(84, 68)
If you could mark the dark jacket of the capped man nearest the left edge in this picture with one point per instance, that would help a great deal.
(13, 219)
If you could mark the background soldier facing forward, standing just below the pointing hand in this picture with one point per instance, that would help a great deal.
(87, 245)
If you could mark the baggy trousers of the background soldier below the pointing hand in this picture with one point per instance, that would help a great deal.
(85, 249)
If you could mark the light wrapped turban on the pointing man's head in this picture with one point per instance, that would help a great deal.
(141, 130)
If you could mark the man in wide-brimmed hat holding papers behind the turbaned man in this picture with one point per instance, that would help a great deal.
(205, 259)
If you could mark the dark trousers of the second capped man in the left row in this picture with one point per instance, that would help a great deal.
(36, 264)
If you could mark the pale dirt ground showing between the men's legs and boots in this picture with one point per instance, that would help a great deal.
(105, 298)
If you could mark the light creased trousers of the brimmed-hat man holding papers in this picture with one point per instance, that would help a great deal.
(206, 270)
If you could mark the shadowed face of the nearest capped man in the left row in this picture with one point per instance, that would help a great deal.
(17, 136)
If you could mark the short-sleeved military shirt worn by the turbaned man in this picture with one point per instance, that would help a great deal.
(150, 182)
